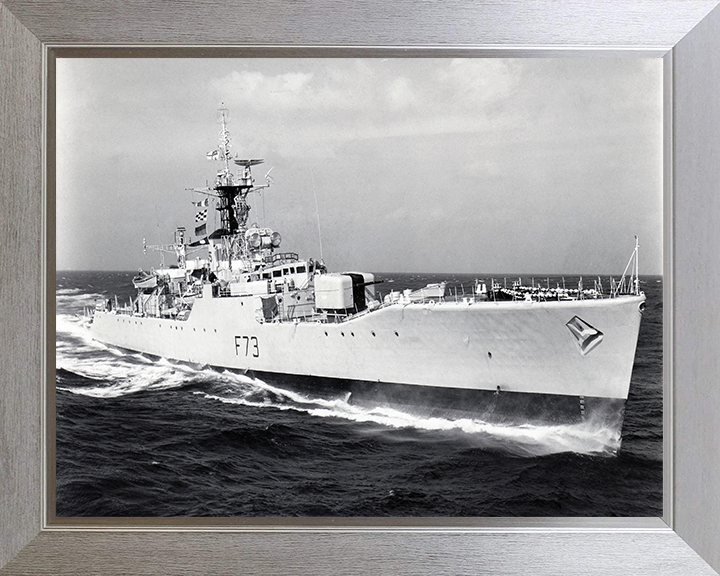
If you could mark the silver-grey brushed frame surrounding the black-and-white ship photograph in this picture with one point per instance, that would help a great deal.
(685, 541)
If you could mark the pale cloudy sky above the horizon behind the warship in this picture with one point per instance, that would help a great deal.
(477, 165)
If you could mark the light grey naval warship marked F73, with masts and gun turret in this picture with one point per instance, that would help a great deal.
(235, 300)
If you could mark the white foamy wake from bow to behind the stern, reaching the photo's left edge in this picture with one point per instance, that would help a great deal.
(93, 369)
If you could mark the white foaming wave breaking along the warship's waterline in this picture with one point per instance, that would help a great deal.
(124, 373)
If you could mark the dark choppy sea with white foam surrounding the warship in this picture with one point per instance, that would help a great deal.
(138, 436)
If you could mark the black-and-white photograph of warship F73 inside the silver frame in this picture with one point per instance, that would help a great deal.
(359, 287)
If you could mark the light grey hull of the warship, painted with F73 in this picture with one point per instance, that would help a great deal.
(561, 354)
